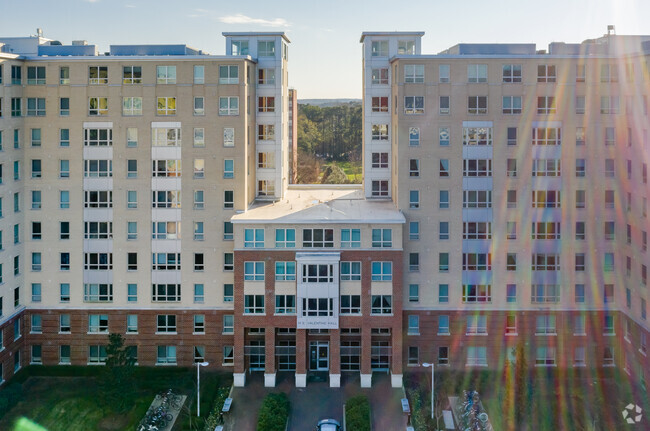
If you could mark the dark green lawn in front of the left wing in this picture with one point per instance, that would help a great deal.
(54, 398)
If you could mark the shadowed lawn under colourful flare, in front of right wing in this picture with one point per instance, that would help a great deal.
(573, 400)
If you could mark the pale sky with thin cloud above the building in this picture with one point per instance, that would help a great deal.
(325, 53)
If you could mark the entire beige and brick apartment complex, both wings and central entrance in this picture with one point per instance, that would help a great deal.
(504, 201)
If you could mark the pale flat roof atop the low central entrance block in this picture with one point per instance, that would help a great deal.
(322, 204)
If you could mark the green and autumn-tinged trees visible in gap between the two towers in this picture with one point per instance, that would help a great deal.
(330, 133)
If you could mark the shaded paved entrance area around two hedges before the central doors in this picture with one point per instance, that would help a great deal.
(317, 401)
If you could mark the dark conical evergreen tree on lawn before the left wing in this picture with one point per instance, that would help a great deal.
(117, 376)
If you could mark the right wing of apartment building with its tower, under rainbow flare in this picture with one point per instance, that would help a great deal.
(522, 175)
